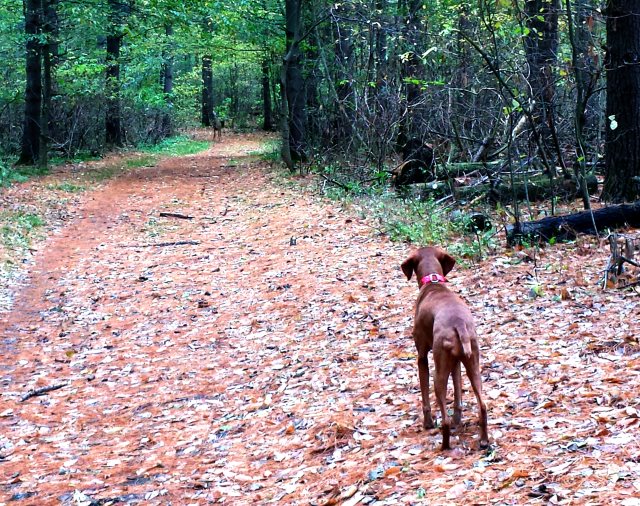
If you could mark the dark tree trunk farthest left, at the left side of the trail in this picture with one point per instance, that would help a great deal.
(32, 132)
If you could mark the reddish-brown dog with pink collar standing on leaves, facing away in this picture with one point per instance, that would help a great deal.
(443, 323)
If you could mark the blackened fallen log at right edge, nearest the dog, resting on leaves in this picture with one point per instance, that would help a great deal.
(567, 227)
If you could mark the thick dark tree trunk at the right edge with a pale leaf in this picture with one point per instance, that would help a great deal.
(622, 147)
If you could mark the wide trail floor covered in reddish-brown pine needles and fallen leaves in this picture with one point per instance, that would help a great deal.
(260, 353)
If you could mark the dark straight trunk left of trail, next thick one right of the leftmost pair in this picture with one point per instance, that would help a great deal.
(113, 119)
